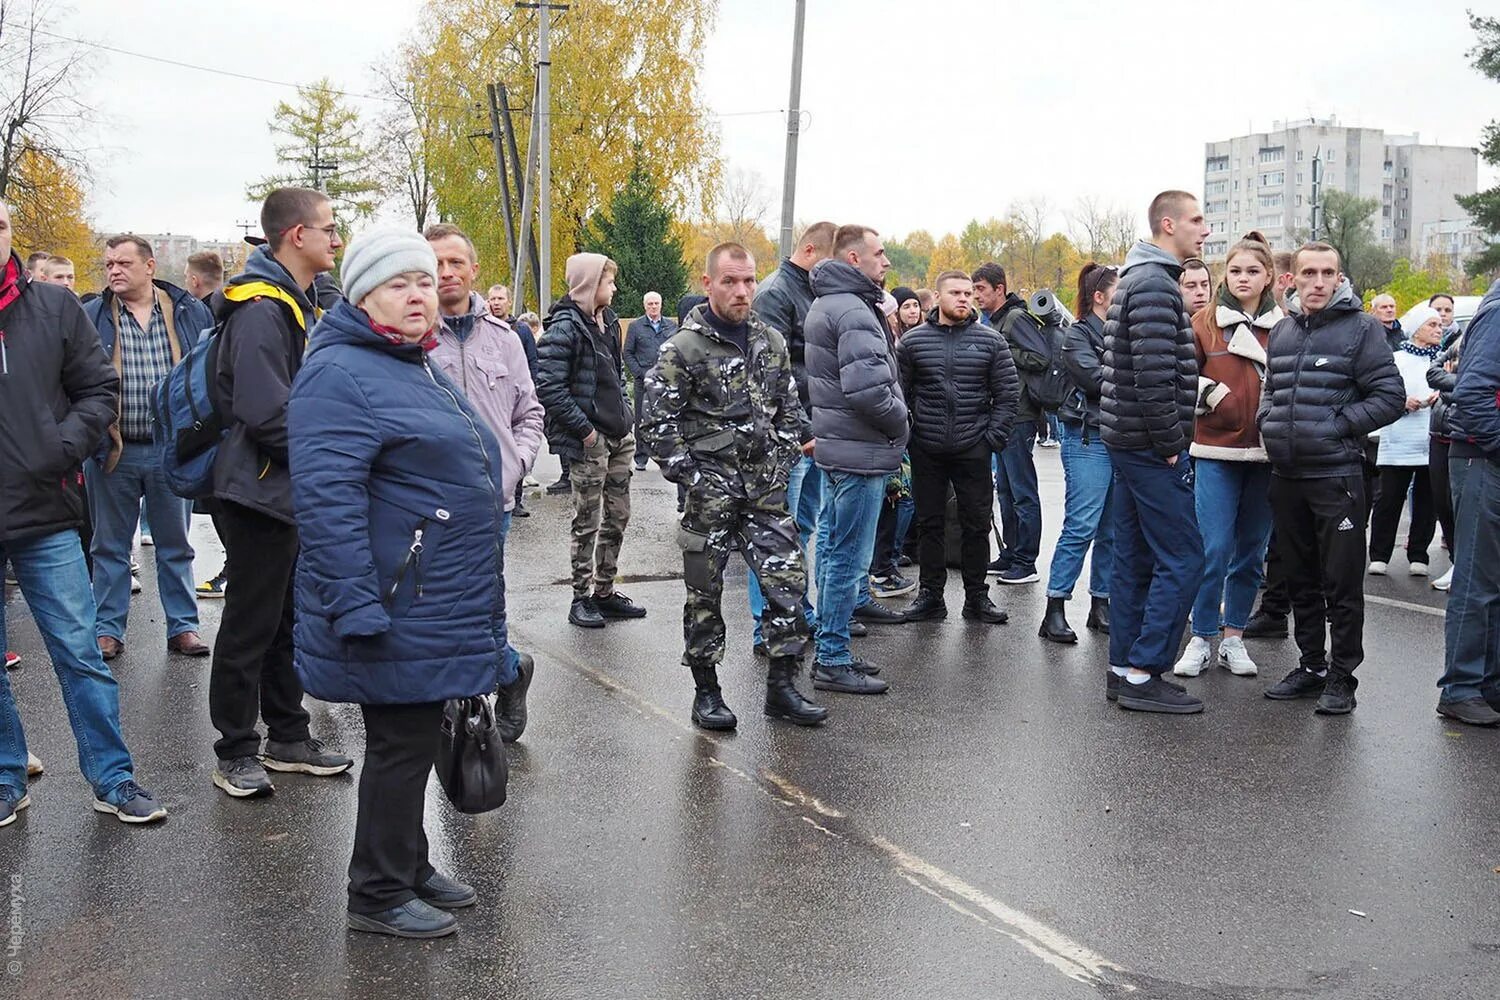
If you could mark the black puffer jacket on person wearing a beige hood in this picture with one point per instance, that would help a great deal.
(568, 376)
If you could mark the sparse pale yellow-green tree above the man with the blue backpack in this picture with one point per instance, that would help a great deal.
(319, 142)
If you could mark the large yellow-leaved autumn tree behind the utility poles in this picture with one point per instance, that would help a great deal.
(625, 74)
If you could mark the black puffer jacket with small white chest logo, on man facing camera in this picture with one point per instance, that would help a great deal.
(1330, 382)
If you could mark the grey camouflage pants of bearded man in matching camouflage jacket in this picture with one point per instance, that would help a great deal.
(764, 531)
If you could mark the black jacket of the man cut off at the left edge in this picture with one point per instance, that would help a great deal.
(58, 400)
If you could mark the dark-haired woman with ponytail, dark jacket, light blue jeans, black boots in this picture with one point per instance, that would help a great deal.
(1087, 467)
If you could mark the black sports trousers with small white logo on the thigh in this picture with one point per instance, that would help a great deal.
(1322, 537)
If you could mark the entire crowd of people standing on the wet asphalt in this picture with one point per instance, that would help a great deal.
(1217, 442)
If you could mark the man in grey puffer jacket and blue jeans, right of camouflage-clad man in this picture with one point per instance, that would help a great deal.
(860, 434)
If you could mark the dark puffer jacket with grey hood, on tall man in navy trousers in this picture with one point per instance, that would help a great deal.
(1150, 379)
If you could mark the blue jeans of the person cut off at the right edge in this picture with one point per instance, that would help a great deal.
(1471, 654)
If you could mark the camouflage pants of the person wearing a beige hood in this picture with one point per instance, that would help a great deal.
(601, 513)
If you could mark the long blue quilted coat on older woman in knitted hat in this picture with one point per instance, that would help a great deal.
(397, 488)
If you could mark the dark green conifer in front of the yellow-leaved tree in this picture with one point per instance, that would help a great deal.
(637, 233)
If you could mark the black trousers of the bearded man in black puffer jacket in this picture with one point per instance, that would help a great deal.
(970, 476)
